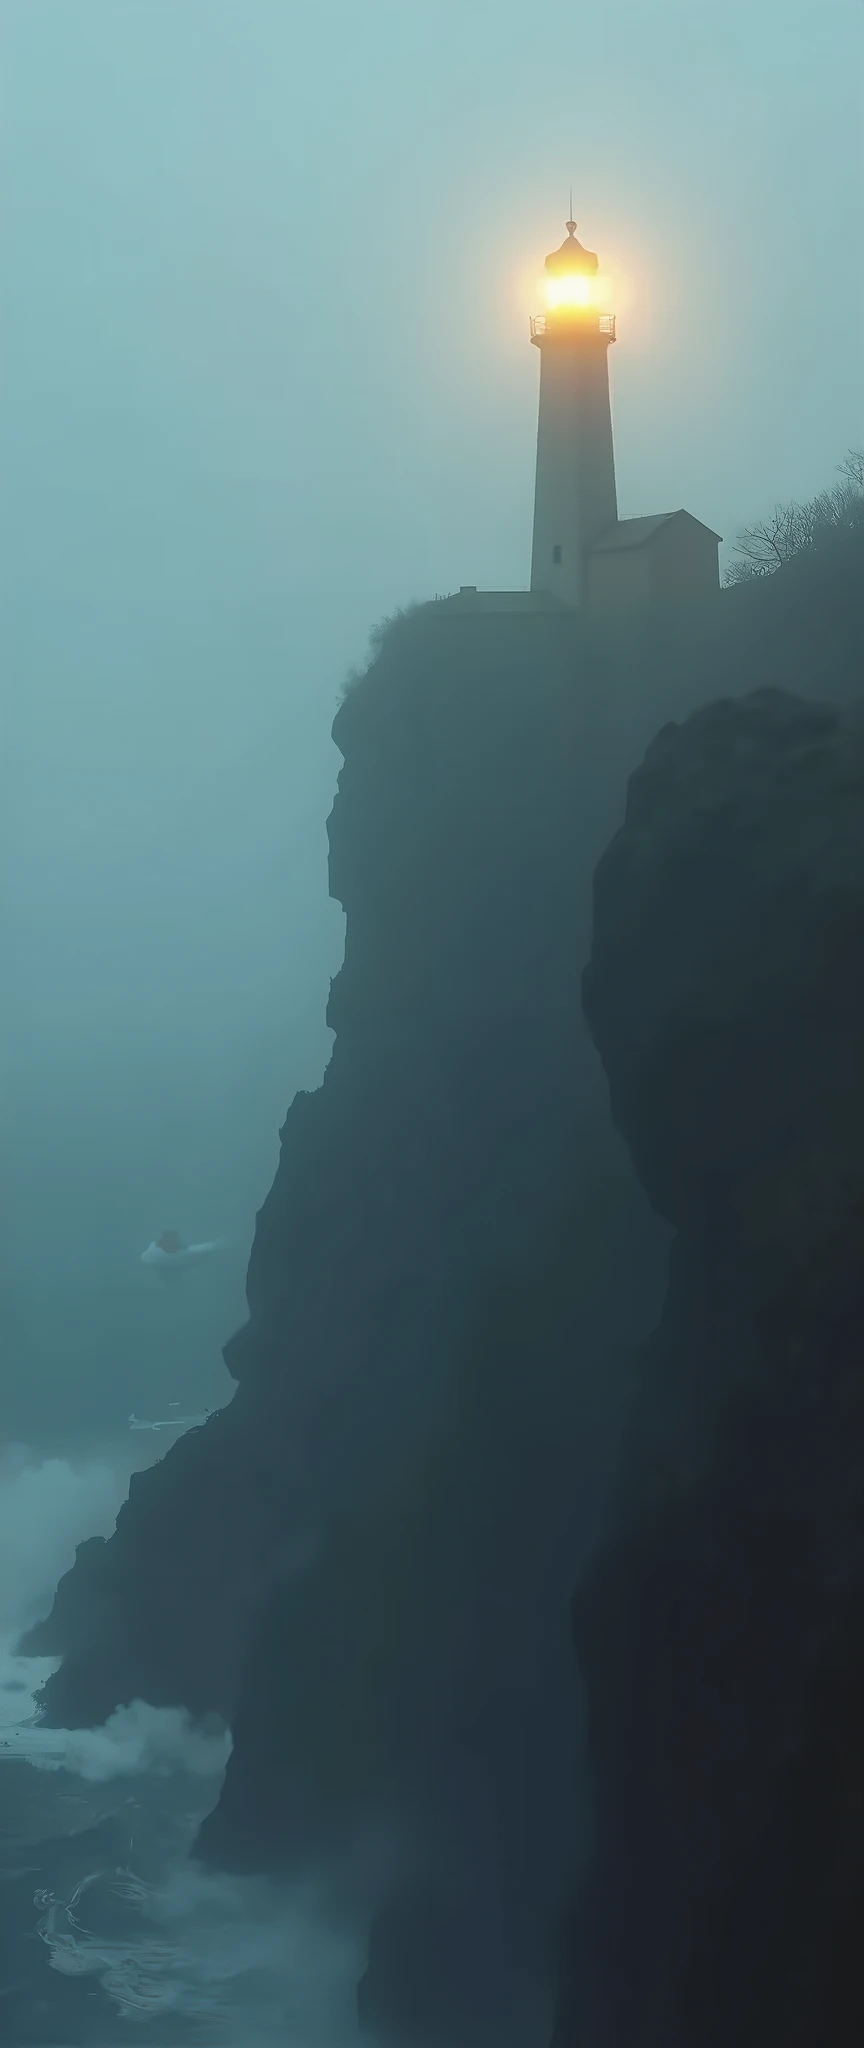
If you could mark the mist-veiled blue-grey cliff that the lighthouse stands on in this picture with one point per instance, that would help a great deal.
(365, 1564)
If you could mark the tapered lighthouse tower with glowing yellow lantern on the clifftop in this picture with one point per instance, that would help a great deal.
(574, 495)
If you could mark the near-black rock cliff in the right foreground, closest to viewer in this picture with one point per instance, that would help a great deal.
(722, 1623)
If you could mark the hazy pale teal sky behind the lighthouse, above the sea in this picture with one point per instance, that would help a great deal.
(265, 288)
